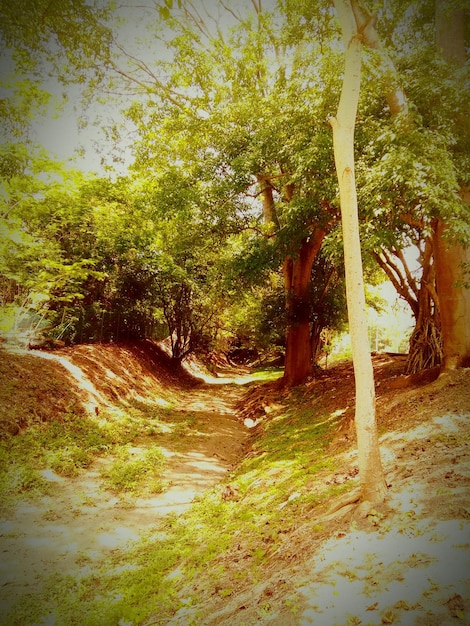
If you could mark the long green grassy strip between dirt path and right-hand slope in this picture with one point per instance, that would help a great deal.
(223, 542)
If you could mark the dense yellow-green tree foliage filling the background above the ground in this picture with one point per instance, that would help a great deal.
(232, 169)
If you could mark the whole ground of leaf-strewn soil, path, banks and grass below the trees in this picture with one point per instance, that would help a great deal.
(274, 555)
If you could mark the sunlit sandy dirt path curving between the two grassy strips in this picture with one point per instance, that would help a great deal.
(81, 522)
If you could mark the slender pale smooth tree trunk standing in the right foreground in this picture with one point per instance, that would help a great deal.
(371, 476)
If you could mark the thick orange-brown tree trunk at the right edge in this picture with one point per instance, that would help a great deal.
(450, 256)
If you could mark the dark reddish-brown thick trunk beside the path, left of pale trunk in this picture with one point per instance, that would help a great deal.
(297, 275)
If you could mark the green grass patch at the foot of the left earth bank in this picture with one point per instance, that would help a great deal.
(69, 445)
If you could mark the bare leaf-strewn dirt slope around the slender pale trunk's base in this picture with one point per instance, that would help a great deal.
(406, 564)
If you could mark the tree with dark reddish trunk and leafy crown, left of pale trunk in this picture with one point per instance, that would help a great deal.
(249, 126)
